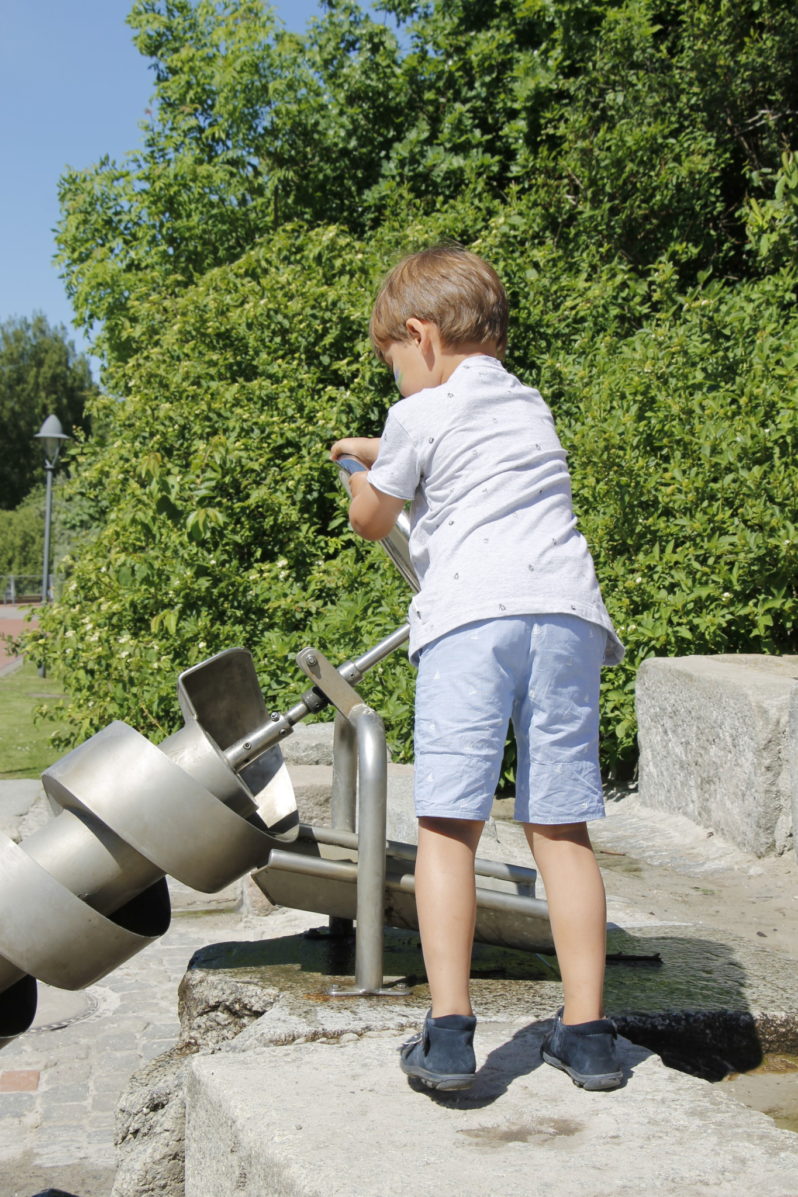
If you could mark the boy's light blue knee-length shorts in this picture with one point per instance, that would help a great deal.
(543, 672)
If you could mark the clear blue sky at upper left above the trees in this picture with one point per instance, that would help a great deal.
(72, 88)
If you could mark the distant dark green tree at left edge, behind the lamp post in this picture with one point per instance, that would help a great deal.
(40, 374)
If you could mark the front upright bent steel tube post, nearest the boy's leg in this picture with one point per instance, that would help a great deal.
(373, 801)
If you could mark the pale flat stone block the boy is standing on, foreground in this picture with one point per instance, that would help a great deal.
(301, 1120)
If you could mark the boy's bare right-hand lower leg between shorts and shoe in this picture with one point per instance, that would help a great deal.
(575, 892)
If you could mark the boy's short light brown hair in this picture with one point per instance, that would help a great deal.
(449, 287)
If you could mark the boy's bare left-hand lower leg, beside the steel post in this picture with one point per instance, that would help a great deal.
(447, 906)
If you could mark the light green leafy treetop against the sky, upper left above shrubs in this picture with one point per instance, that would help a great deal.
(249, 127)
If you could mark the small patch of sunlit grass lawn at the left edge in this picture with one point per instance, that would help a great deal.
(26, 750)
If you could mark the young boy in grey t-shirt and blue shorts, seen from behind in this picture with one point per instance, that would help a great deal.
(509, 624)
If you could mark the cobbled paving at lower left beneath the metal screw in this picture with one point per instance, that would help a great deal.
(60, 1083)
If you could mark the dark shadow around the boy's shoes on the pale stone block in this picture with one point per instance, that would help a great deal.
(517, 1058)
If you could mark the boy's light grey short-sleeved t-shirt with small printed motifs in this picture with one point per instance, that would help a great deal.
(494, 531)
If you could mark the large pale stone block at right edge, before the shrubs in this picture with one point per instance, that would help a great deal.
(718, 744)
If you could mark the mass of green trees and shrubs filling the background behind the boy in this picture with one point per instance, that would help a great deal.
(629, 167)
